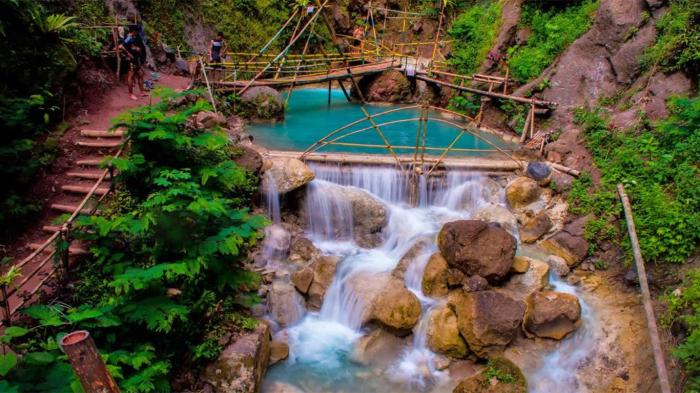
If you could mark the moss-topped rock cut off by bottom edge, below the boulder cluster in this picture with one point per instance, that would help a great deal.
(512, 379)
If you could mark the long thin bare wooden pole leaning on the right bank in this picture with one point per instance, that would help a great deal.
(646, 297)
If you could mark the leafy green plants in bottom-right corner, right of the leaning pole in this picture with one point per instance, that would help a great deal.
(684, 310)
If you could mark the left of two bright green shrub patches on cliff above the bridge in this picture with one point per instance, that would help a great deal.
(474, 32)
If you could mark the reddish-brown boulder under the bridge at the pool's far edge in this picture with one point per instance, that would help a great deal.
(390, 86)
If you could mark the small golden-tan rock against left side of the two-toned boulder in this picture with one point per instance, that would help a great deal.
(443, 333)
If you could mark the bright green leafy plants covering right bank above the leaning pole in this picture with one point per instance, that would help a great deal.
(658, 164)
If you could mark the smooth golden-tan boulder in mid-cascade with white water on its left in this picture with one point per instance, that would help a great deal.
(396, 308)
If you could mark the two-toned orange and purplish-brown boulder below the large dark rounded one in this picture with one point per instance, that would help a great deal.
(488, 320)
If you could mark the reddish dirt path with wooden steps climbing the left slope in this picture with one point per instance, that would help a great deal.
(70, 170)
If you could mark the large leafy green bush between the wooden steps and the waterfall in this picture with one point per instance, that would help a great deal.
(165, 281)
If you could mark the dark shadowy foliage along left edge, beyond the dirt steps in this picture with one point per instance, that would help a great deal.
(40, 49)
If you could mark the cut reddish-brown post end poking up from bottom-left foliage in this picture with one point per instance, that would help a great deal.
(87, 363)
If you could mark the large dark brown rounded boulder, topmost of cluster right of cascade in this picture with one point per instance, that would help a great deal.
(477, 248)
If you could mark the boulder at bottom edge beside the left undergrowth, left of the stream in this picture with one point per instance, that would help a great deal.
(241, 365)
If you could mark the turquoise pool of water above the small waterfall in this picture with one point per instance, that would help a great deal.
(309, 118)
